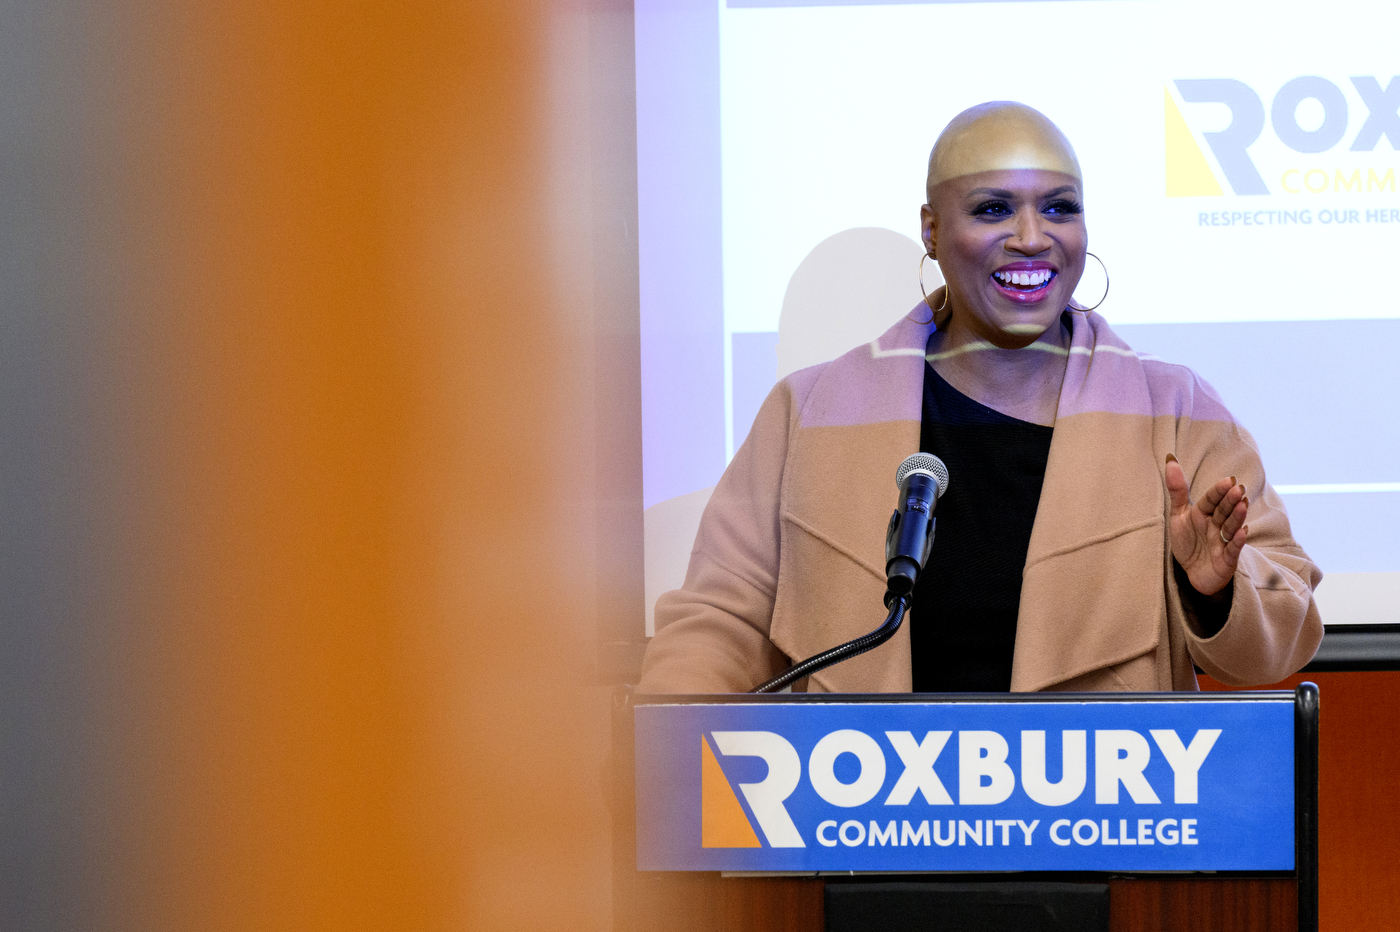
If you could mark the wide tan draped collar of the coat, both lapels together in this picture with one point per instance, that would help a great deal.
(1102, 500)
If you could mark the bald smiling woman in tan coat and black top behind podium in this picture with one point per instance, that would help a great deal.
(1107, 524)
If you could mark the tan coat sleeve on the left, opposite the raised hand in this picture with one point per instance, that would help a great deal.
(713, 633)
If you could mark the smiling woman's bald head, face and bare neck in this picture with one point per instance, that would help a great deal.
(1006, 222)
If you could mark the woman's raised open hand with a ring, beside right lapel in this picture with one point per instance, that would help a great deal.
(1207, 535)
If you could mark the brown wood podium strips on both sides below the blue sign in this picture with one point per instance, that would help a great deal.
(710, 903)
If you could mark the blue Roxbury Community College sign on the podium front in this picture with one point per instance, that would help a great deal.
(1133, 784)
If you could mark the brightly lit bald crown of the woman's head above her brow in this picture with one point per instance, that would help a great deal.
(996, 136)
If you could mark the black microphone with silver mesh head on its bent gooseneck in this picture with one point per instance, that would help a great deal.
(922, 481)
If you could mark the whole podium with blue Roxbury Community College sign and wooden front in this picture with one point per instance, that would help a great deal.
(1149, 811)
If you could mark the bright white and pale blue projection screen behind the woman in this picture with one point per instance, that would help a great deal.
(1241, 187)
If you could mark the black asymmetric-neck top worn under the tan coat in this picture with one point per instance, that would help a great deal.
(964, 616)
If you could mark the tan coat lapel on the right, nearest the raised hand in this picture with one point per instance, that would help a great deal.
(1093, 588)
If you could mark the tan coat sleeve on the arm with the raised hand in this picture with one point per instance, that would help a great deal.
(1273, 628)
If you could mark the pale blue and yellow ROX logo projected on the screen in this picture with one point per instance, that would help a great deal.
(1311, 118)
